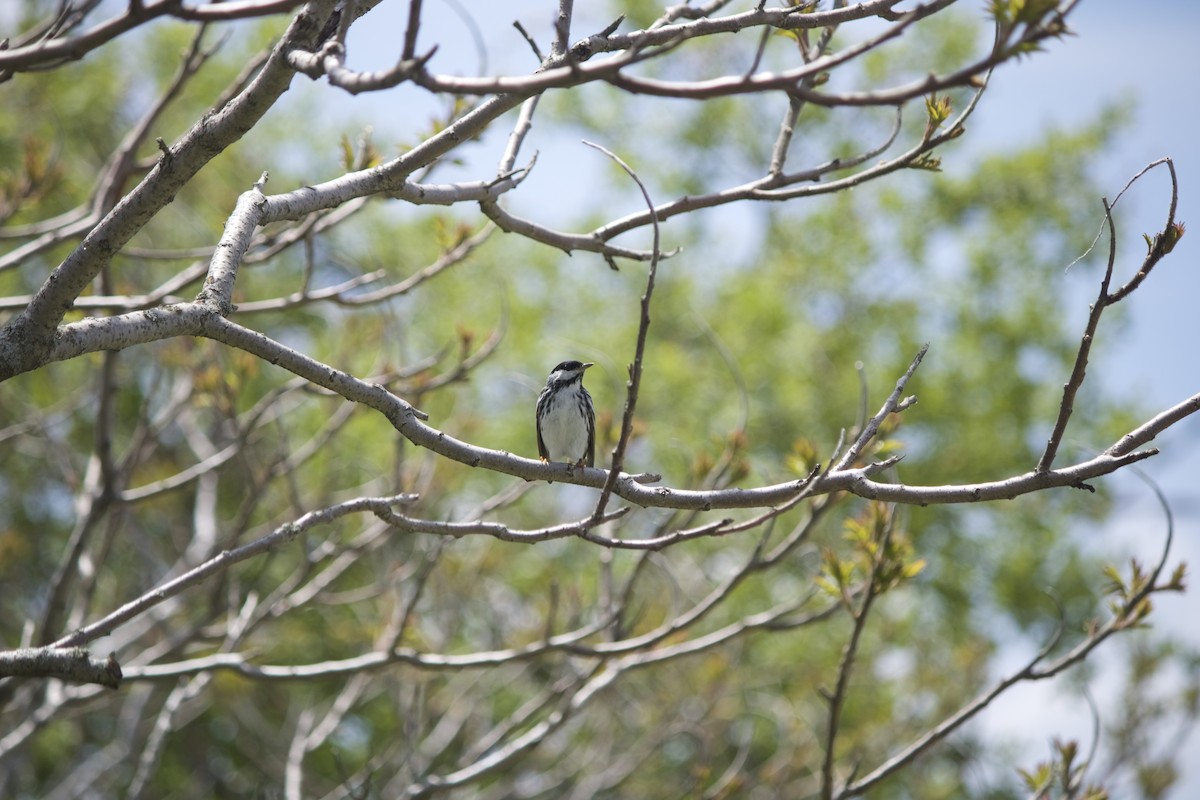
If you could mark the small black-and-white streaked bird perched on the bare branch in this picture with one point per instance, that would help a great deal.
(567, 423)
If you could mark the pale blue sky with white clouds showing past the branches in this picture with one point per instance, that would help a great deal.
(1144, 56)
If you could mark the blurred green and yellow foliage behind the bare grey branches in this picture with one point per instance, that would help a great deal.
(773, 332)
